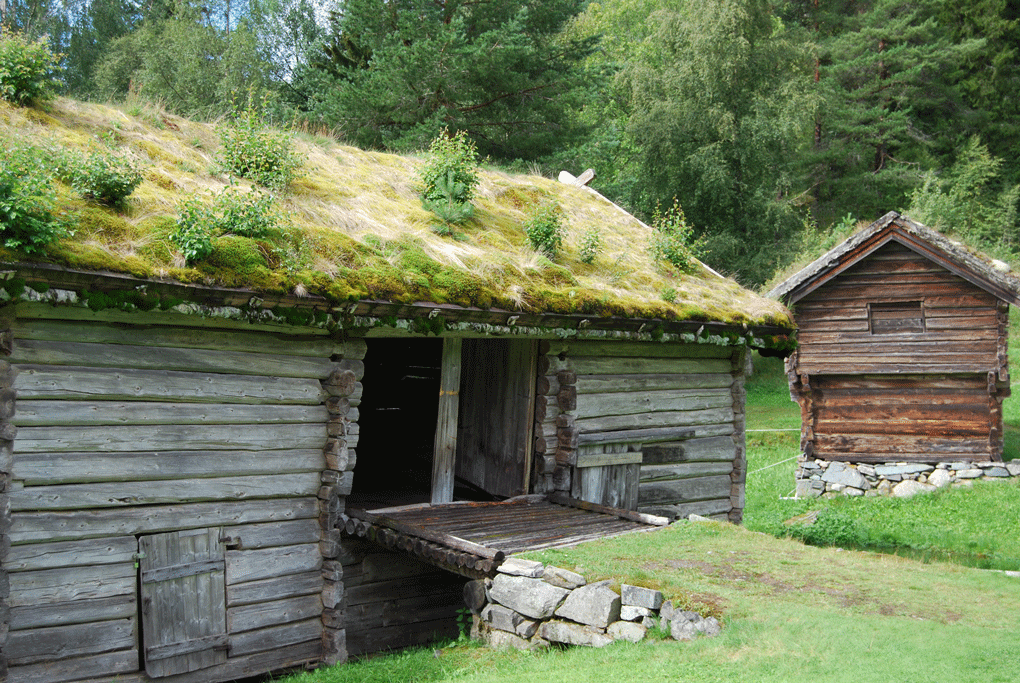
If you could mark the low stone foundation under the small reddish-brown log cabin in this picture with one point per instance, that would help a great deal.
(832, 479)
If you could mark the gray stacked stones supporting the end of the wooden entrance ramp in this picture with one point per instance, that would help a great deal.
(529, 606)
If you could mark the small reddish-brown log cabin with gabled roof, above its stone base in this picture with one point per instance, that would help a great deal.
(902, 352)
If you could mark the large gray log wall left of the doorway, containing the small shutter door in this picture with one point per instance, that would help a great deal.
(209, 463)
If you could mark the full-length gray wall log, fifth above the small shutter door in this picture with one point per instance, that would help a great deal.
(57, 413)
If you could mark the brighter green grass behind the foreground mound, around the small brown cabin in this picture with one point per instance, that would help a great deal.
(953, 524)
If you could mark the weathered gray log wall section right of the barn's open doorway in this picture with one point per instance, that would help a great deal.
(652, 428)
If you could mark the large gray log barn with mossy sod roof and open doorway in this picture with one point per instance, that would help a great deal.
(216, 470)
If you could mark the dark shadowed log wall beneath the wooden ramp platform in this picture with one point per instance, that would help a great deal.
(394, 601)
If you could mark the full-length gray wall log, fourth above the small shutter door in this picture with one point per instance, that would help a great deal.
(171, 438)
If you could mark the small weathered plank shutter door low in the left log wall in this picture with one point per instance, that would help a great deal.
(184, 604)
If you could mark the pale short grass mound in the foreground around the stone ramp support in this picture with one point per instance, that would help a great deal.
(791, 613)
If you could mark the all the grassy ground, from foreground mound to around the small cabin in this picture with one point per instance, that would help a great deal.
(791, 612)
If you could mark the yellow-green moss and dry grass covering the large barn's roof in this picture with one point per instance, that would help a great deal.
(362, 232)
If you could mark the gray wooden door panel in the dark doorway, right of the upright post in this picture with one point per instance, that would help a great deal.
(495, 427)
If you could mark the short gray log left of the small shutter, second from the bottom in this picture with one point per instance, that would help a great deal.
(59, 643)
